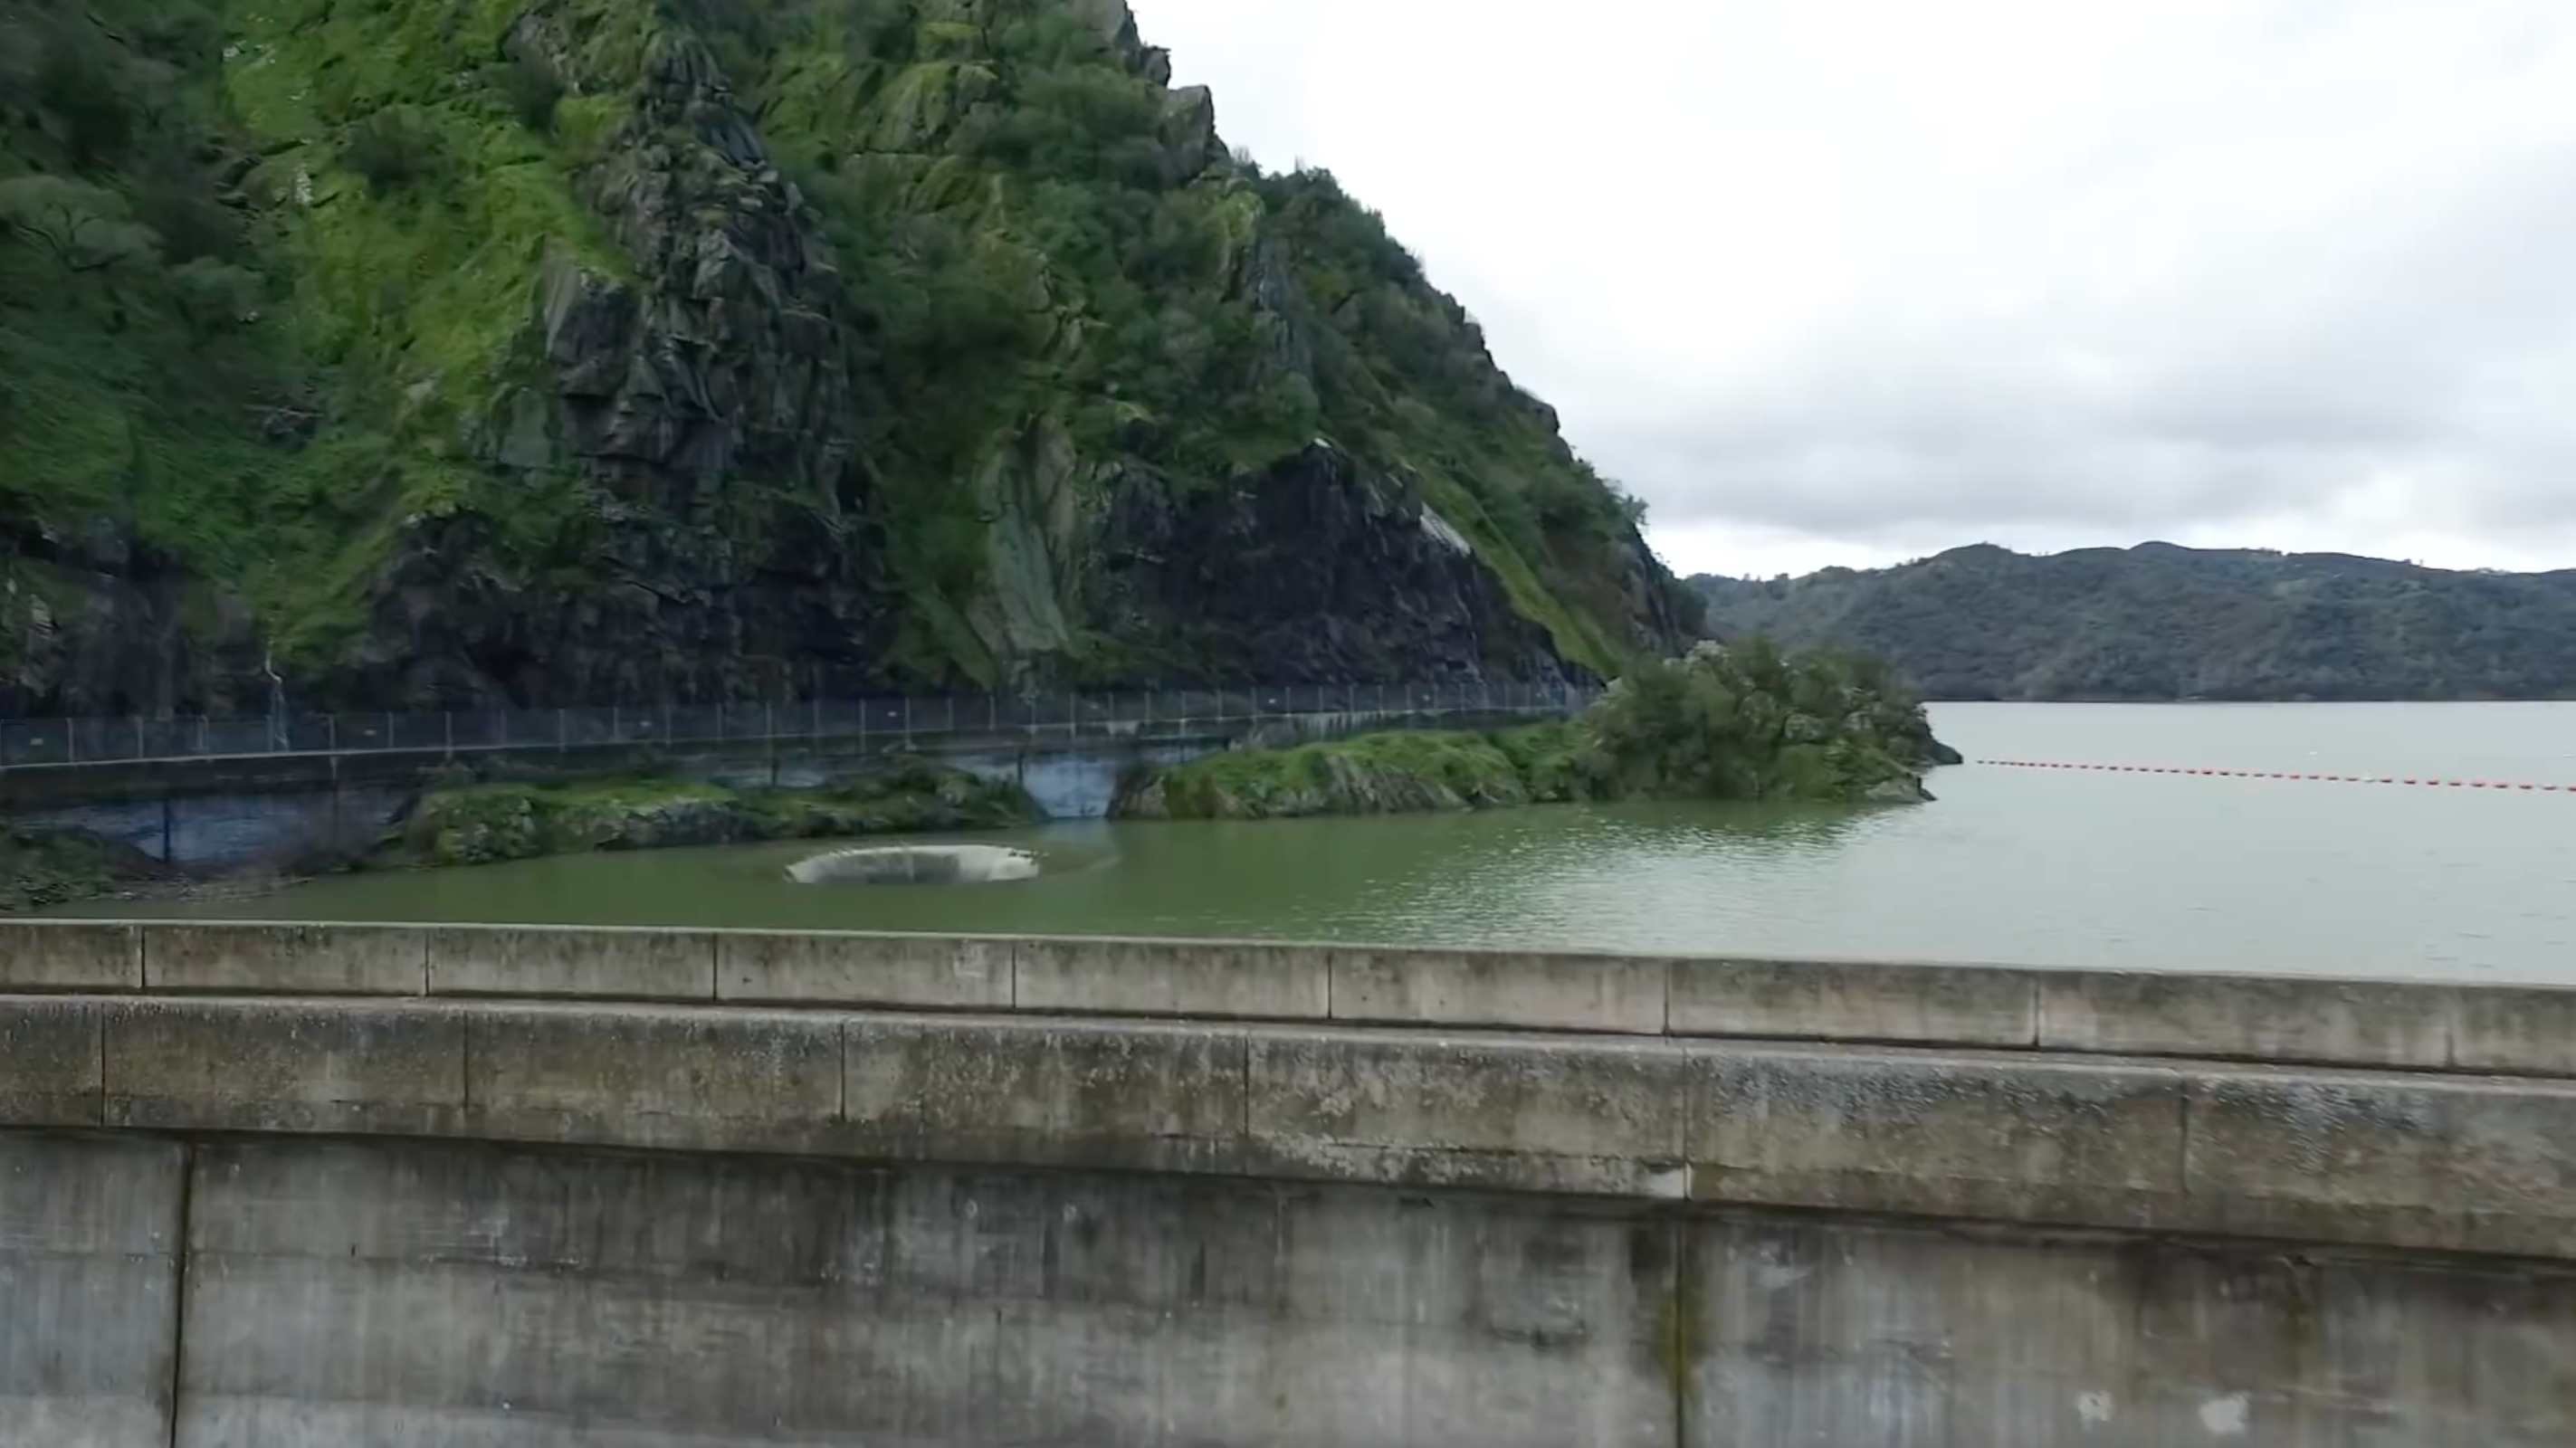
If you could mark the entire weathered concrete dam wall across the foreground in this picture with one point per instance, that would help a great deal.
(308, 1186)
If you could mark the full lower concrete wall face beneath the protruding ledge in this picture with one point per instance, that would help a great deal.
(398, 1292)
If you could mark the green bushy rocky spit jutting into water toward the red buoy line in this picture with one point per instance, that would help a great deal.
(1740, 723)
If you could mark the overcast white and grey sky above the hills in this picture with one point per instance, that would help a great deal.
(1866, 280)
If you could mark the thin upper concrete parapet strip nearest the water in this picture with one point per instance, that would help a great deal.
(2430, 1027)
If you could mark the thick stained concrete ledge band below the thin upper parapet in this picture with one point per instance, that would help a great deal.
(2013, 1138)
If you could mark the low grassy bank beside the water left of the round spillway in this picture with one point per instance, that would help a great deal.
(488, 823)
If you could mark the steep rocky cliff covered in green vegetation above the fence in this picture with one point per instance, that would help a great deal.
(581, 352)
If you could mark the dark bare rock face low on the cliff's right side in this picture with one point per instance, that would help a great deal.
(1312, 576)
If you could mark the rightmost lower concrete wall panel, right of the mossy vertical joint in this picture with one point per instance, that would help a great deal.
(1856, 1336)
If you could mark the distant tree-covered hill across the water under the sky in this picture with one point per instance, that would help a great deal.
(2165, 622)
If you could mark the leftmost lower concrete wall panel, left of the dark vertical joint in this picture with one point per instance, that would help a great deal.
(89, 1292)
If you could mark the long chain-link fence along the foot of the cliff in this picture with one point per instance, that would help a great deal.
(68, 743)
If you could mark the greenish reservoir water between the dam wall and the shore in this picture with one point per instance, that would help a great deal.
(2011, 867)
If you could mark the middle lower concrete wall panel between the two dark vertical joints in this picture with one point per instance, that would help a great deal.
(465, 1297)
